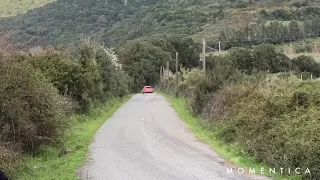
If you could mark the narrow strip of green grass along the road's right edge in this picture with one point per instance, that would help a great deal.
(231, 153)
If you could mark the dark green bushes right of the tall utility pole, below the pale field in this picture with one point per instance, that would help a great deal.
(264, 58)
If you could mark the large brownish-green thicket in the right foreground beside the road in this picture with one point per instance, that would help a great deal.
(275, 120)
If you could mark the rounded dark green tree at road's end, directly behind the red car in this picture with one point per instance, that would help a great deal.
(142, 61)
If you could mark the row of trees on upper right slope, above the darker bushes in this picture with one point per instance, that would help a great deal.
(272, 32)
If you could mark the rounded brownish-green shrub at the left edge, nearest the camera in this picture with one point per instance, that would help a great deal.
(32, 112)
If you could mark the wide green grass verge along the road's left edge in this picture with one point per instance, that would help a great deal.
(48, 165)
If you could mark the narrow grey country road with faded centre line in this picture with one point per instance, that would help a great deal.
(146, 140)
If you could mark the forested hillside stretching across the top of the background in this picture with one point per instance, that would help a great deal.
(236, 22)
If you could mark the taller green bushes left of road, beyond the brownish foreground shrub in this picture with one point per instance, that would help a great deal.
(88, 73)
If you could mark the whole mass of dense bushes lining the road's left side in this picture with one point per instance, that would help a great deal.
(41, 88)
